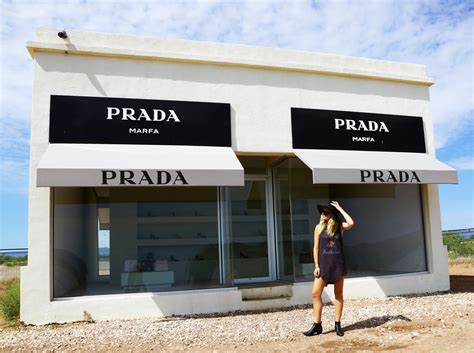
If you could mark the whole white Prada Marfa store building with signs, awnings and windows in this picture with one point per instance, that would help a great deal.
(178, 177)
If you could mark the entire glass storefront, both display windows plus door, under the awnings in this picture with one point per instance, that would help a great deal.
(126, 240)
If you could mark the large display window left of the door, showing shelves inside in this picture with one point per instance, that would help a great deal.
(125, 240)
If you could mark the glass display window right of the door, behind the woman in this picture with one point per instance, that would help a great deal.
(388, 237)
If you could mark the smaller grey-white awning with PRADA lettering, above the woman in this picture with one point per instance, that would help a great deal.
(353, 167)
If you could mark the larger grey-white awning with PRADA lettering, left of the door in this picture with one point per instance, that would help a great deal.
(138, 165)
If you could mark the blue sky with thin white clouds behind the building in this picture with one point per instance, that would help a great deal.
(438, 34)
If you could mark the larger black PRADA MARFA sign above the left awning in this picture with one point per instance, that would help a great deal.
(138, 121)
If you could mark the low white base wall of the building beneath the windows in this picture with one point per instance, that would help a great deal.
(205, 301)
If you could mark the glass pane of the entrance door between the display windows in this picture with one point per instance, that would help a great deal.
(249, 230)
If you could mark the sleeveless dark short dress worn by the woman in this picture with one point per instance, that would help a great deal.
(332, 263)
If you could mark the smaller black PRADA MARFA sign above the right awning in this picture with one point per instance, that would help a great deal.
(339, 130)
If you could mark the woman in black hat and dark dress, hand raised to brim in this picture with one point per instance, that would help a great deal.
(329, 262)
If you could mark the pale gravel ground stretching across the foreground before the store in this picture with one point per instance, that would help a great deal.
(395, 323)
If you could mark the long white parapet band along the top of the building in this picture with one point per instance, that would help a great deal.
(224, 54)
